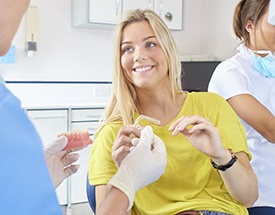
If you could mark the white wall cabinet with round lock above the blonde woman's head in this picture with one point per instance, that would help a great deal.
(106, 13)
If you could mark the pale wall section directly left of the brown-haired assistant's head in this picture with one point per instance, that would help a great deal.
(217, 26)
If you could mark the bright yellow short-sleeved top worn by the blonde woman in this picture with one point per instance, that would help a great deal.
(189, 181)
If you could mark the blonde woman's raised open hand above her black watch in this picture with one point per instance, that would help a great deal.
(201, 133)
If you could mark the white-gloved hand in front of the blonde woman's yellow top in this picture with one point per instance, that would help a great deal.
(142, 166)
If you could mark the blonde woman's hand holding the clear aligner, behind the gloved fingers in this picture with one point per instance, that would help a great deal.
(123, 143)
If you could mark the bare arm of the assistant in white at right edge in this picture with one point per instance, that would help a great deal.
(255, 114)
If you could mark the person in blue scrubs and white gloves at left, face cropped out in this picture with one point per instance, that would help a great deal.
(30, 174)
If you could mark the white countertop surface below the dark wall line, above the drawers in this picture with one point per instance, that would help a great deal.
(60, 95)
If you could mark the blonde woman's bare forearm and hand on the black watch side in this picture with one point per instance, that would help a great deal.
(240, 180)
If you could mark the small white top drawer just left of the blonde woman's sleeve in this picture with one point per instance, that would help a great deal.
(91, 114)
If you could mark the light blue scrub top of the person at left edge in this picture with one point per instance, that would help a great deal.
(25, 184)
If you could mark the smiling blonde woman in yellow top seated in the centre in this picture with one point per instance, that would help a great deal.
(208, 169)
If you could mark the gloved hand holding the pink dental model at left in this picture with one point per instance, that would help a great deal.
(60, 162)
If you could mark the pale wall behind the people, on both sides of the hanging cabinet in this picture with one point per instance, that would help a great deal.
(70, 54)
